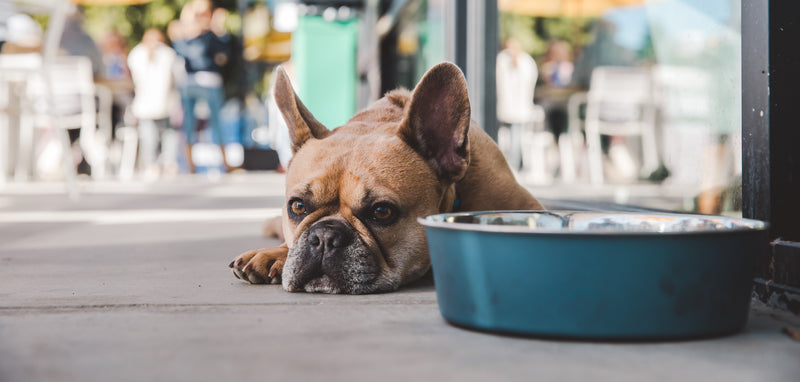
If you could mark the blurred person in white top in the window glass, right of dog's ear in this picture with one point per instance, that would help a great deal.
(517, 74)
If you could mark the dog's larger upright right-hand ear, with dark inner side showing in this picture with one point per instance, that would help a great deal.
(437, 121)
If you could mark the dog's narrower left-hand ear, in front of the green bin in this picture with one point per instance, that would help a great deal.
(302, 124)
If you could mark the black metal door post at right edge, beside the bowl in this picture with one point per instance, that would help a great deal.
(771, 143)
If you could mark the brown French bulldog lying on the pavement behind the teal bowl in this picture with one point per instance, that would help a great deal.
(354, 194)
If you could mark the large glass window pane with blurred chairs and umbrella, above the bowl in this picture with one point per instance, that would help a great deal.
(641, 103)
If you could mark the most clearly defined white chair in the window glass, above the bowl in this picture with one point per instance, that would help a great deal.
(620, 103)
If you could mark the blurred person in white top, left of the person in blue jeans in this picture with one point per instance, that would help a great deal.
(151, 65)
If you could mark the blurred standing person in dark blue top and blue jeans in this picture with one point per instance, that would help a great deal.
(196, 38)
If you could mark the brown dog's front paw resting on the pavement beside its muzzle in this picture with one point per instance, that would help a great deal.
(260, 266)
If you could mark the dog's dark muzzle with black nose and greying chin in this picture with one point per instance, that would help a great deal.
(330, 258)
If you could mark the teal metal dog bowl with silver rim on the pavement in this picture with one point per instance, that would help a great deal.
(602, 276)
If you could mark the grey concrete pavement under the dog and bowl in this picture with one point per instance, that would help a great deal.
(131, 283)
